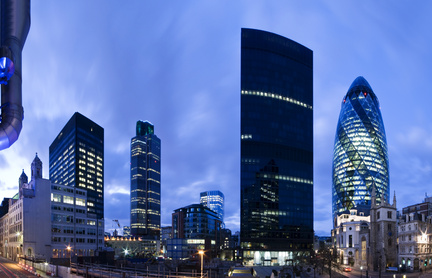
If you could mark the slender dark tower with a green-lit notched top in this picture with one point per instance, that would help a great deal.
(145, 182)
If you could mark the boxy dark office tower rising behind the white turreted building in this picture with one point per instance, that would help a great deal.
(76, 159)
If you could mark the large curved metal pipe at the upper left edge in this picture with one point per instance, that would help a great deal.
(14, 28)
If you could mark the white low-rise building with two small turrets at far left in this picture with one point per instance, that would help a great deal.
(46, 220)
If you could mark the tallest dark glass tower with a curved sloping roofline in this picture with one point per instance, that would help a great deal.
(276, 148)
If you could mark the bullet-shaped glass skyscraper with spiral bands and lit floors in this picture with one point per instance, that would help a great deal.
(360, 160)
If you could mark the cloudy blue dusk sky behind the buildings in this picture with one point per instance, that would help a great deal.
(177, 65)
